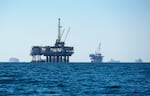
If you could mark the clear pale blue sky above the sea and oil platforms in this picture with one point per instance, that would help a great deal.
(121, 26)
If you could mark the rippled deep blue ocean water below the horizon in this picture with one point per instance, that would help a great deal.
(74, 79)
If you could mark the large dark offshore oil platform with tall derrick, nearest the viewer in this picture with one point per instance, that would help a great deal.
(57, 53)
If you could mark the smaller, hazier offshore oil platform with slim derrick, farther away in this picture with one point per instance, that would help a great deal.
(97, 57)
